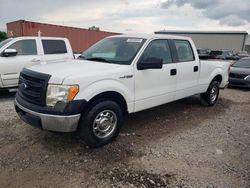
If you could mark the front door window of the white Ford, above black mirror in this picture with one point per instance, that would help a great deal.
(158, 49)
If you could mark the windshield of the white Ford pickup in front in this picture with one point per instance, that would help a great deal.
(118, 50)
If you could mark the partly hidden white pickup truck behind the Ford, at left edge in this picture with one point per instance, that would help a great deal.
(20, 52)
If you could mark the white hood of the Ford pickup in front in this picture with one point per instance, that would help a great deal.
(62, 70)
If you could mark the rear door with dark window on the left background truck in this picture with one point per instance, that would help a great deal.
(55, 50)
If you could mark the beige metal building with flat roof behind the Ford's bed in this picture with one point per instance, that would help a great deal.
(233, 40)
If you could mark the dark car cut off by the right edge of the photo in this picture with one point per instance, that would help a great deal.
(240, 73)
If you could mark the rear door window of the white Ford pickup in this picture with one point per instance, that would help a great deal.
(184, 50)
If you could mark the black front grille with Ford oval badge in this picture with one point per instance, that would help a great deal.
(32, 86)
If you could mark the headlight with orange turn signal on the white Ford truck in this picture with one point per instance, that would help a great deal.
(64, 93)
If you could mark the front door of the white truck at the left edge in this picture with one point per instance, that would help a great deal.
(10, 67)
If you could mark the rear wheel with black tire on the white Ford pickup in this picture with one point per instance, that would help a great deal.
(209, 98)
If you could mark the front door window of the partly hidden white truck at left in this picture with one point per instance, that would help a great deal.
(25, 47)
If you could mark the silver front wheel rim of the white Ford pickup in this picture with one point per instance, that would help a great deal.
(104, 124)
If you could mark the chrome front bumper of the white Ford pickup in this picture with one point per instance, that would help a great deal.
(50, 122)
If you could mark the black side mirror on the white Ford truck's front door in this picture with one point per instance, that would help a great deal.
(150, 63)
